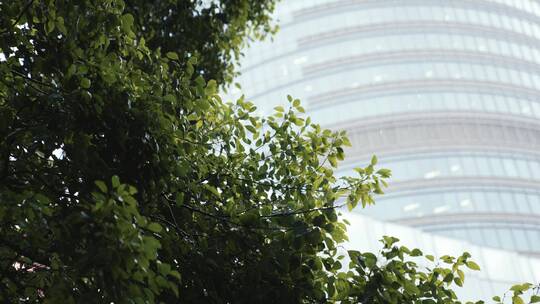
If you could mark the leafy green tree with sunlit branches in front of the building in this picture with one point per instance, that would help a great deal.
(125, 178)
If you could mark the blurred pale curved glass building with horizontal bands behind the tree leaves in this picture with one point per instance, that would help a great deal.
(445, 92)
